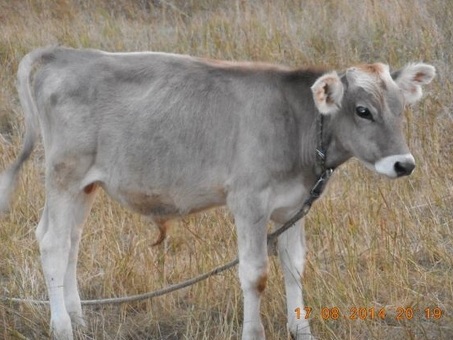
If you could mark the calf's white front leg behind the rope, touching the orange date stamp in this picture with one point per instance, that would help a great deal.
(291, 250)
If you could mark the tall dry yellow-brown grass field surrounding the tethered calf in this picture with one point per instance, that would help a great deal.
(372, 243)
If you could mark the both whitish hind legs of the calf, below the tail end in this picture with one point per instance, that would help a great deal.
(59, 232)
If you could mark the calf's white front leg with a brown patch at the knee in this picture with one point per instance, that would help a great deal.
(253, 267)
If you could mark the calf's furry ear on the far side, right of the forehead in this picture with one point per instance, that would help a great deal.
(411, 78)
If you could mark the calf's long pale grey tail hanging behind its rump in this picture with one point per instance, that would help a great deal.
(24, 84)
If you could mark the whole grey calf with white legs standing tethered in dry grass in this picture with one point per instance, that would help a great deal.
(168, 135)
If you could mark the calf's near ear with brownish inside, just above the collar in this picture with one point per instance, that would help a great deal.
(328, 93)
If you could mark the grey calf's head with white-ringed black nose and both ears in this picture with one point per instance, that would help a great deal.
(366, 106)
